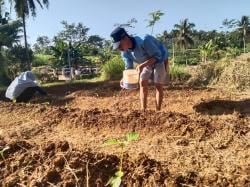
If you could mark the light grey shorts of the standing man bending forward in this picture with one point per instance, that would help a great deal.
(157, 72)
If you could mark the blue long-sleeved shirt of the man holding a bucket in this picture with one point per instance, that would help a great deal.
(144, 49)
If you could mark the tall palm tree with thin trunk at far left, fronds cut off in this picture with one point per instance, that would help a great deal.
(23, 9)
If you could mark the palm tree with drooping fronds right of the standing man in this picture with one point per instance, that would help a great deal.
(184, 31)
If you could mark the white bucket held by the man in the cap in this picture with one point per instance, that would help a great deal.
(130, 79)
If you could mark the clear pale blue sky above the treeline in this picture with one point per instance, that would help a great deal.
(101, 15)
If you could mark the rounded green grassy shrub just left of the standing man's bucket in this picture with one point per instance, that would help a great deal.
(112, 70)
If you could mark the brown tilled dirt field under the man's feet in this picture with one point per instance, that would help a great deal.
(200, 138)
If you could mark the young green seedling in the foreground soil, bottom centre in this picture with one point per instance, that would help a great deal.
(116, 180)
